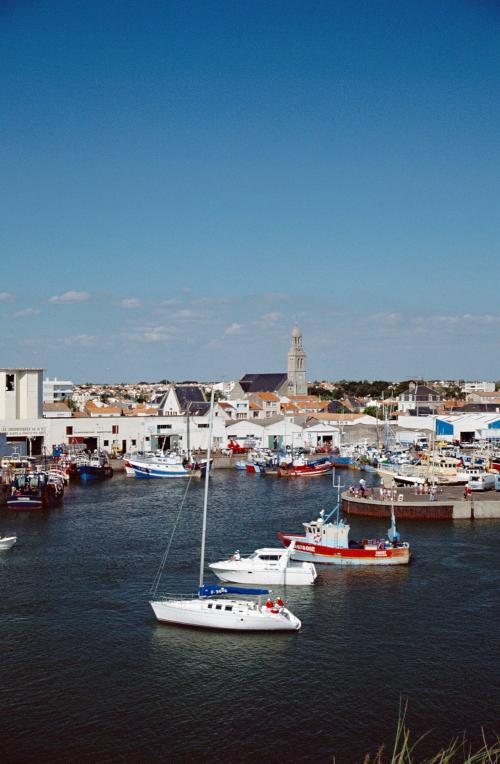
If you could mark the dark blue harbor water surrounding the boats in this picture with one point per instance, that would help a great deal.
(89, 675)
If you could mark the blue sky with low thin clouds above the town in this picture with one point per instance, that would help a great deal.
(180, 182)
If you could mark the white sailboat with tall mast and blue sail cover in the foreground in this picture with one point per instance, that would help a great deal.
(209, 611)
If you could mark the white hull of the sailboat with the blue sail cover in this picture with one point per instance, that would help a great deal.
(220, 614)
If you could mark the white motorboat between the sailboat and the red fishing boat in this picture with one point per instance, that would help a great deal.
(269, 566)
